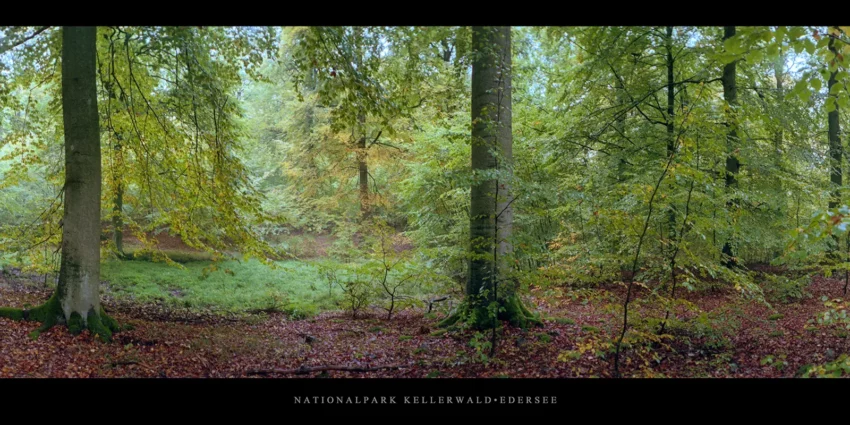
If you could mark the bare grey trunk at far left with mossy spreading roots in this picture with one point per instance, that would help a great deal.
(76, 301)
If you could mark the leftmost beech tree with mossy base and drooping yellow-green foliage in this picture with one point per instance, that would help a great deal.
(175, 142)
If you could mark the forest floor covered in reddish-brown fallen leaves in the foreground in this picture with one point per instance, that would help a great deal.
(733, 337)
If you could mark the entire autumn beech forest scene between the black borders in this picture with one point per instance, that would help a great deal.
(424, 202)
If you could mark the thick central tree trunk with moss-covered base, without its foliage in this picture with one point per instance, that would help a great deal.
(491, 215)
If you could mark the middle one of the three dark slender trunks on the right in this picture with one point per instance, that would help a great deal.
(730, 94)
